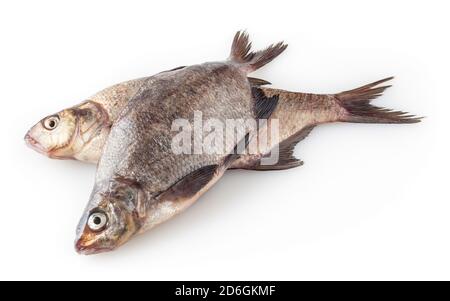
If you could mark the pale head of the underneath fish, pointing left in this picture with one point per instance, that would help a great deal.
(65, 134)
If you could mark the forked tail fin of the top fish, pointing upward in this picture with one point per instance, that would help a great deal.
(241, 53)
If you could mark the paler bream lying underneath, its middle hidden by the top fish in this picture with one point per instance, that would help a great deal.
(80, 132)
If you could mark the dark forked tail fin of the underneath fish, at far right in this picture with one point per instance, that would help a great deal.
(358, 108)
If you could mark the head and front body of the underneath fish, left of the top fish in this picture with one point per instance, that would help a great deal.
(79, 132)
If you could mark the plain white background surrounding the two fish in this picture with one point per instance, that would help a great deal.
(370, 203)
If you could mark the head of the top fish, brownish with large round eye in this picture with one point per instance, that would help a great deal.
(110, 219)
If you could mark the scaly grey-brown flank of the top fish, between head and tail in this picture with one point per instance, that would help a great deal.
(144, 128)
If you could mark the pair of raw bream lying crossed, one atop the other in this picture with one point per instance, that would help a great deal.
(128, 130)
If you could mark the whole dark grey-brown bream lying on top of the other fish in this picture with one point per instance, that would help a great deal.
(140, 181)
